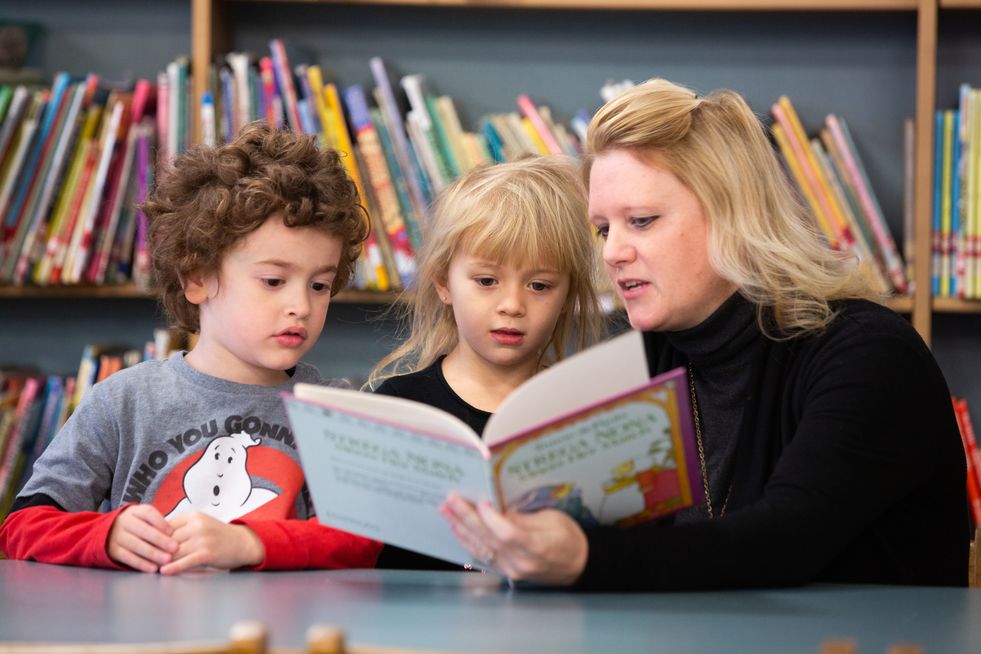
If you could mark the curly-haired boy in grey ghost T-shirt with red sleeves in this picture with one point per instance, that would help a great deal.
(249, 242)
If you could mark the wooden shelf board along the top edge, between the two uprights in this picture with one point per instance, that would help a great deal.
(645, 5)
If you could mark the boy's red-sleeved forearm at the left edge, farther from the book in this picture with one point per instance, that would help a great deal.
(43, 532)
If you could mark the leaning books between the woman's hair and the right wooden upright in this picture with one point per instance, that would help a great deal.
(834, 185)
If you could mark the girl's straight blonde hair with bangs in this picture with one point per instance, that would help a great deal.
(530, 210)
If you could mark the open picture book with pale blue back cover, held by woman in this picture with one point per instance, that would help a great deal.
(593, 436)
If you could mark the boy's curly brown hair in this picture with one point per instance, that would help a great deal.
(211, 197)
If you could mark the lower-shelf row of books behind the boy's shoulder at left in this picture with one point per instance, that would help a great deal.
(34, 406)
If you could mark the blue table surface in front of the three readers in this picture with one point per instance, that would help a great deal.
(473, 612)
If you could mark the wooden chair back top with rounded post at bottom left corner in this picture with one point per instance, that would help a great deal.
(243, 638)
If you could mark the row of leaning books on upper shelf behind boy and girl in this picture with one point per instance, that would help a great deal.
(404, 141)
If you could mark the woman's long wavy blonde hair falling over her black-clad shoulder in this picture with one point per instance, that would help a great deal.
(760, 237)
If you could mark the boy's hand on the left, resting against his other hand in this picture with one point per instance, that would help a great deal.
(141, 539)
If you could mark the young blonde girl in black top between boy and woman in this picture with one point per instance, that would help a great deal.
(505, 286)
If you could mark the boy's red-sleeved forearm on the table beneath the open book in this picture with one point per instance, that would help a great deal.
(299, 544)
